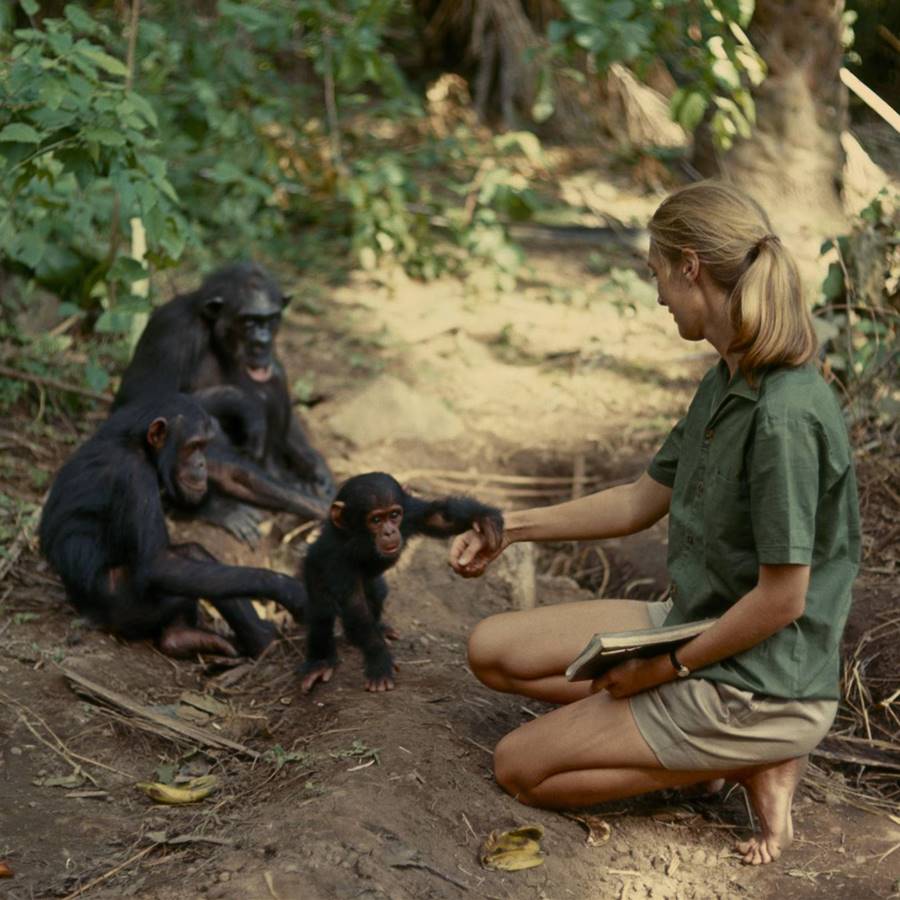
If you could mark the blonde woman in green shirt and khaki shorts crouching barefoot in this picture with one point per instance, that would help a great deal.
(758, 483)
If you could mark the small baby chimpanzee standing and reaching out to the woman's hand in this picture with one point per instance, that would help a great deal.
(371, 519)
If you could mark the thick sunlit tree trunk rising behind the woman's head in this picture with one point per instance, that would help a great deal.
(793, 161)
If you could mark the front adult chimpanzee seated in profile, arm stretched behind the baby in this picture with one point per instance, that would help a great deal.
(103, 530)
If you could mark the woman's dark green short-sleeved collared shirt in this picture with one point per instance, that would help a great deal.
(764, 474)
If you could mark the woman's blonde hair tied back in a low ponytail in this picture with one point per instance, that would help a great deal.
(732, 236)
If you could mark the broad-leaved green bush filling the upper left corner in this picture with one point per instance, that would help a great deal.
(79, 159)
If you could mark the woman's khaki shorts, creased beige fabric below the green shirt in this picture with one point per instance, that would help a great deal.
(693, 724)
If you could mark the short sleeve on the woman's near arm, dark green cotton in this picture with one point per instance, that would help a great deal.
(788, 455)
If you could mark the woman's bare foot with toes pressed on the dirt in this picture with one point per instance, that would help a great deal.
(771, 792)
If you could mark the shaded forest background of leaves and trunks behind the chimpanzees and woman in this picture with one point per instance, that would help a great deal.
(146, 139)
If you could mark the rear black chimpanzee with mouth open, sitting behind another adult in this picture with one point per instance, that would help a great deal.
(217, 343)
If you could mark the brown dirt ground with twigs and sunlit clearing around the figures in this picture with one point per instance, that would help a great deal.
(344, 794)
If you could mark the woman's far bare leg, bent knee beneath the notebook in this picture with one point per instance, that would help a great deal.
(527, 652)
